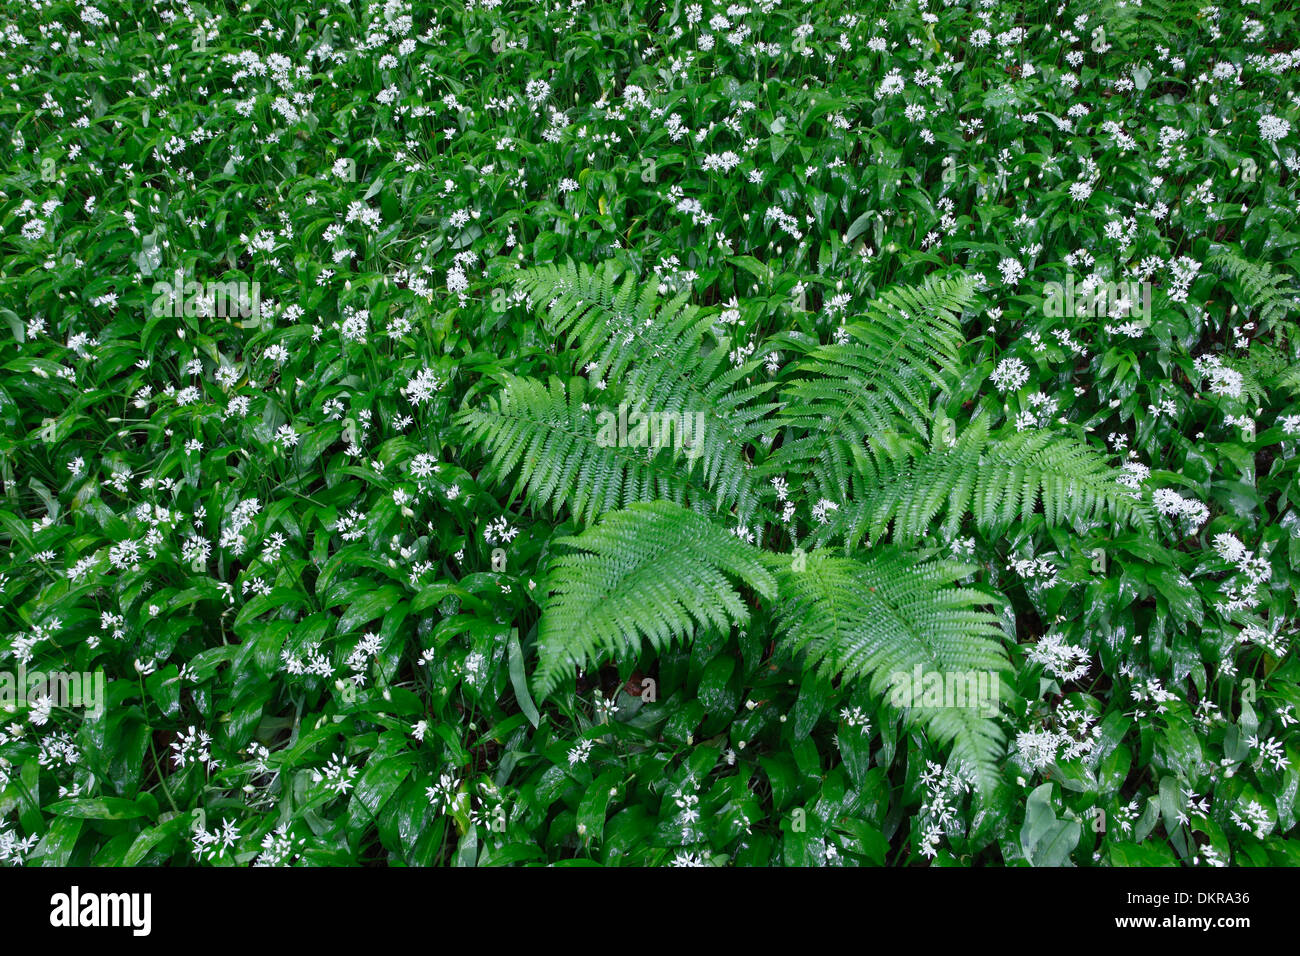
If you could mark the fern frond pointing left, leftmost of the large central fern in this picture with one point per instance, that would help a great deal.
(557, 447)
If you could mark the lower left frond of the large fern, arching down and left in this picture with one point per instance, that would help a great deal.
(651, 572)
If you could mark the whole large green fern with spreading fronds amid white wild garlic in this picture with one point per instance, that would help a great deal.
(805, 499)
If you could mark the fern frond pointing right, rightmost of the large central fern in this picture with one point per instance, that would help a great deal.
(998, 479)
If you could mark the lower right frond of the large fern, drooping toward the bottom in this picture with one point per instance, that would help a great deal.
(889, 617)
